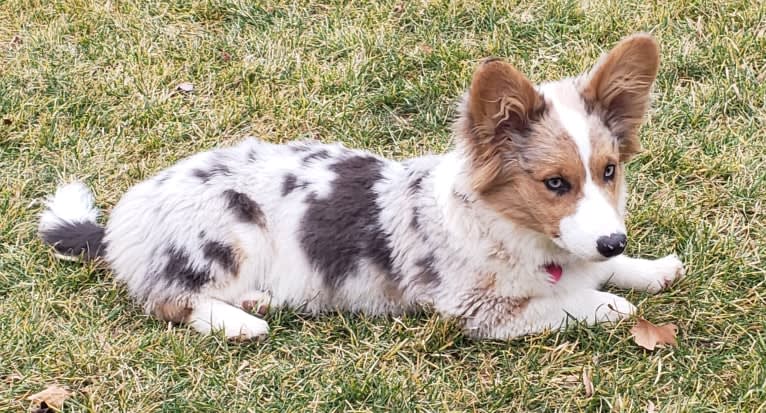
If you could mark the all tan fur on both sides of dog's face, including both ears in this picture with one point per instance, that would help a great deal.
(515, 142)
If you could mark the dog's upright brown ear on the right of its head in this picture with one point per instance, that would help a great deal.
(618, 88)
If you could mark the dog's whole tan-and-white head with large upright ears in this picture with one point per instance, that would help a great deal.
(551, 157)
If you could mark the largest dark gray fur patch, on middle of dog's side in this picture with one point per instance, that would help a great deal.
(339, 231)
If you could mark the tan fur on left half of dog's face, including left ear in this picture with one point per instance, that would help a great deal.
(515, 146)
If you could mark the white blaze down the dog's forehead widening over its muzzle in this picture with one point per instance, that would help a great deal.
(594, 216)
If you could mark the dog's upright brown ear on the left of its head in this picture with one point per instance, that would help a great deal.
(502, 103)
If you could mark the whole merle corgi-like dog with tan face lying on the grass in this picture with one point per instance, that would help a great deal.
(511, 233)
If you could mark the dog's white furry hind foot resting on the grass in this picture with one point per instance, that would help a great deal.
(209, 315)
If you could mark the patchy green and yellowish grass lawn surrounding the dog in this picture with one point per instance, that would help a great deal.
(87, 90)
